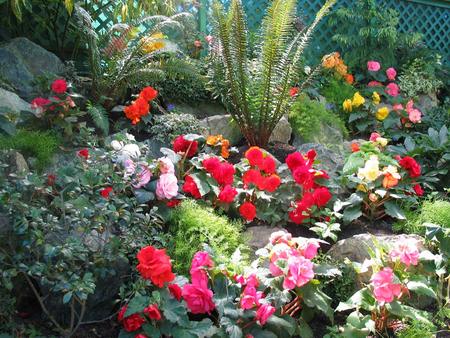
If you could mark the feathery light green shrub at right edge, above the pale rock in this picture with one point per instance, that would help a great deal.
(436, 212)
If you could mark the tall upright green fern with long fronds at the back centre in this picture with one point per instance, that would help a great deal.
(258, 90)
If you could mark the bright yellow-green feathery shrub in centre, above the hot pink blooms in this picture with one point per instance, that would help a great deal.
(194, 225)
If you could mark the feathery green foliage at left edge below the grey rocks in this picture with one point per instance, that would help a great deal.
(41, 145)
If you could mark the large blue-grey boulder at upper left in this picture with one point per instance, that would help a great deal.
(21, 61)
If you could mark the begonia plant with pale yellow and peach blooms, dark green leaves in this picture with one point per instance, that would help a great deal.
(380, 184)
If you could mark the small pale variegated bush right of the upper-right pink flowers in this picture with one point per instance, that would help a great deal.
(419, 77)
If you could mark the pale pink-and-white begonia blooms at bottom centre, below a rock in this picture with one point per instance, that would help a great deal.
(291, 258)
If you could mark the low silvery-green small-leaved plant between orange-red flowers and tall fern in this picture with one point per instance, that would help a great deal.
(168, 126)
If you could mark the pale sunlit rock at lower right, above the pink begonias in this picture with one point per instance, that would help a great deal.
(356, 248)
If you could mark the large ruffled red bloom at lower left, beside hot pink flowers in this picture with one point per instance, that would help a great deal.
(155, 265)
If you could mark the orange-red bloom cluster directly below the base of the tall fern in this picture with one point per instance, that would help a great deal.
(262, 175)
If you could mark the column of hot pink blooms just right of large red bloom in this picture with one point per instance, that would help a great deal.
(197, 295)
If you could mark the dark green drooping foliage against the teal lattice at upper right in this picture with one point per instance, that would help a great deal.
(367, 31)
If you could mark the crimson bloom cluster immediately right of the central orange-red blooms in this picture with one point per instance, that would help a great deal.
(305, 175)
